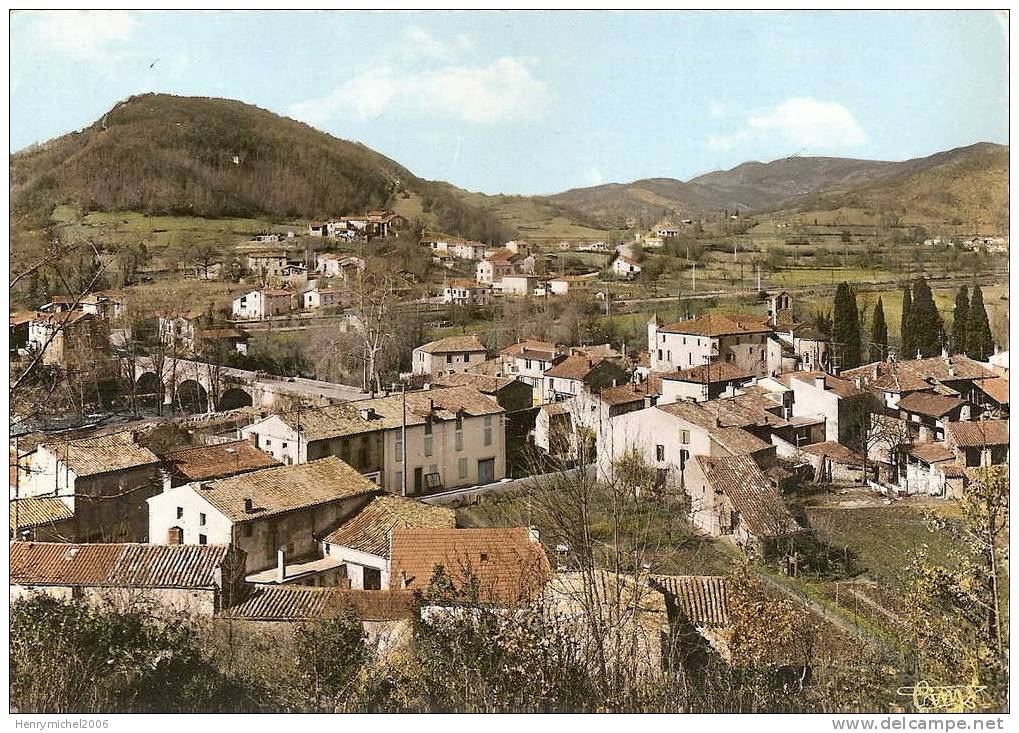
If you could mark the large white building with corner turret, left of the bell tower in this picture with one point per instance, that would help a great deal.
(741, 340)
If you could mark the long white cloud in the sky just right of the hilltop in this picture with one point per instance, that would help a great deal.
(504, 91)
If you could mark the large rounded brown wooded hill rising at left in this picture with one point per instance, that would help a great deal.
(209, 158)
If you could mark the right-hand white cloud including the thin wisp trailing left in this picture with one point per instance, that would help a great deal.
(802, 123)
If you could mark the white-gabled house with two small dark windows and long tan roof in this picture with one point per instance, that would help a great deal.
(274, 514)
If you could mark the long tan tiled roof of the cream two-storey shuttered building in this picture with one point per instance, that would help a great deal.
(346, 420)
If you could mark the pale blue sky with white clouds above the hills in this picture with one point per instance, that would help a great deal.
(537, 102)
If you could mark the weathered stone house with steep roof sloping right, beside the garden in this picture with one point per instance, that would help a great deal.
(732, 496)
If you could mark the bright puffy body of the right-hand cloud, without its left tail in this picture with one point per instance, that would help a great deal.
(811, 124)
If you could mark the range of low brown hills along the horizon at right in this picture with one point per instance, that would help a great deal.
(789, 182)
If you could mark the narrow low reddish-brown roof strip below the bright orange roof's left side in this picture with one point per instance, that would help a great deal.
(291, 603)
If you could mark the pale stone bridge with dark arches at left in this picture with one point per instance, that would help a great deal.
(201, 387)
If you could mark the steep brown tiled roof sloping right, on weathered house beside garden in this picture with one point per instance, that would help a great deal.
(760, 505)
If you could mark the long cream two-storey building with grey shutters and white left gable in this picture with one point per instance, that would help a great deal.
(455, 438)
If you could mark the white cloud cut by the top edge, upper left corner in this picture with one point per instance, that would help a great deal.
(83, 34)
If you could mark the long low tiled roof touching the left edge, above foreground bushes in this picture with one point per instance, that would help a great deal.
(124, 565)
